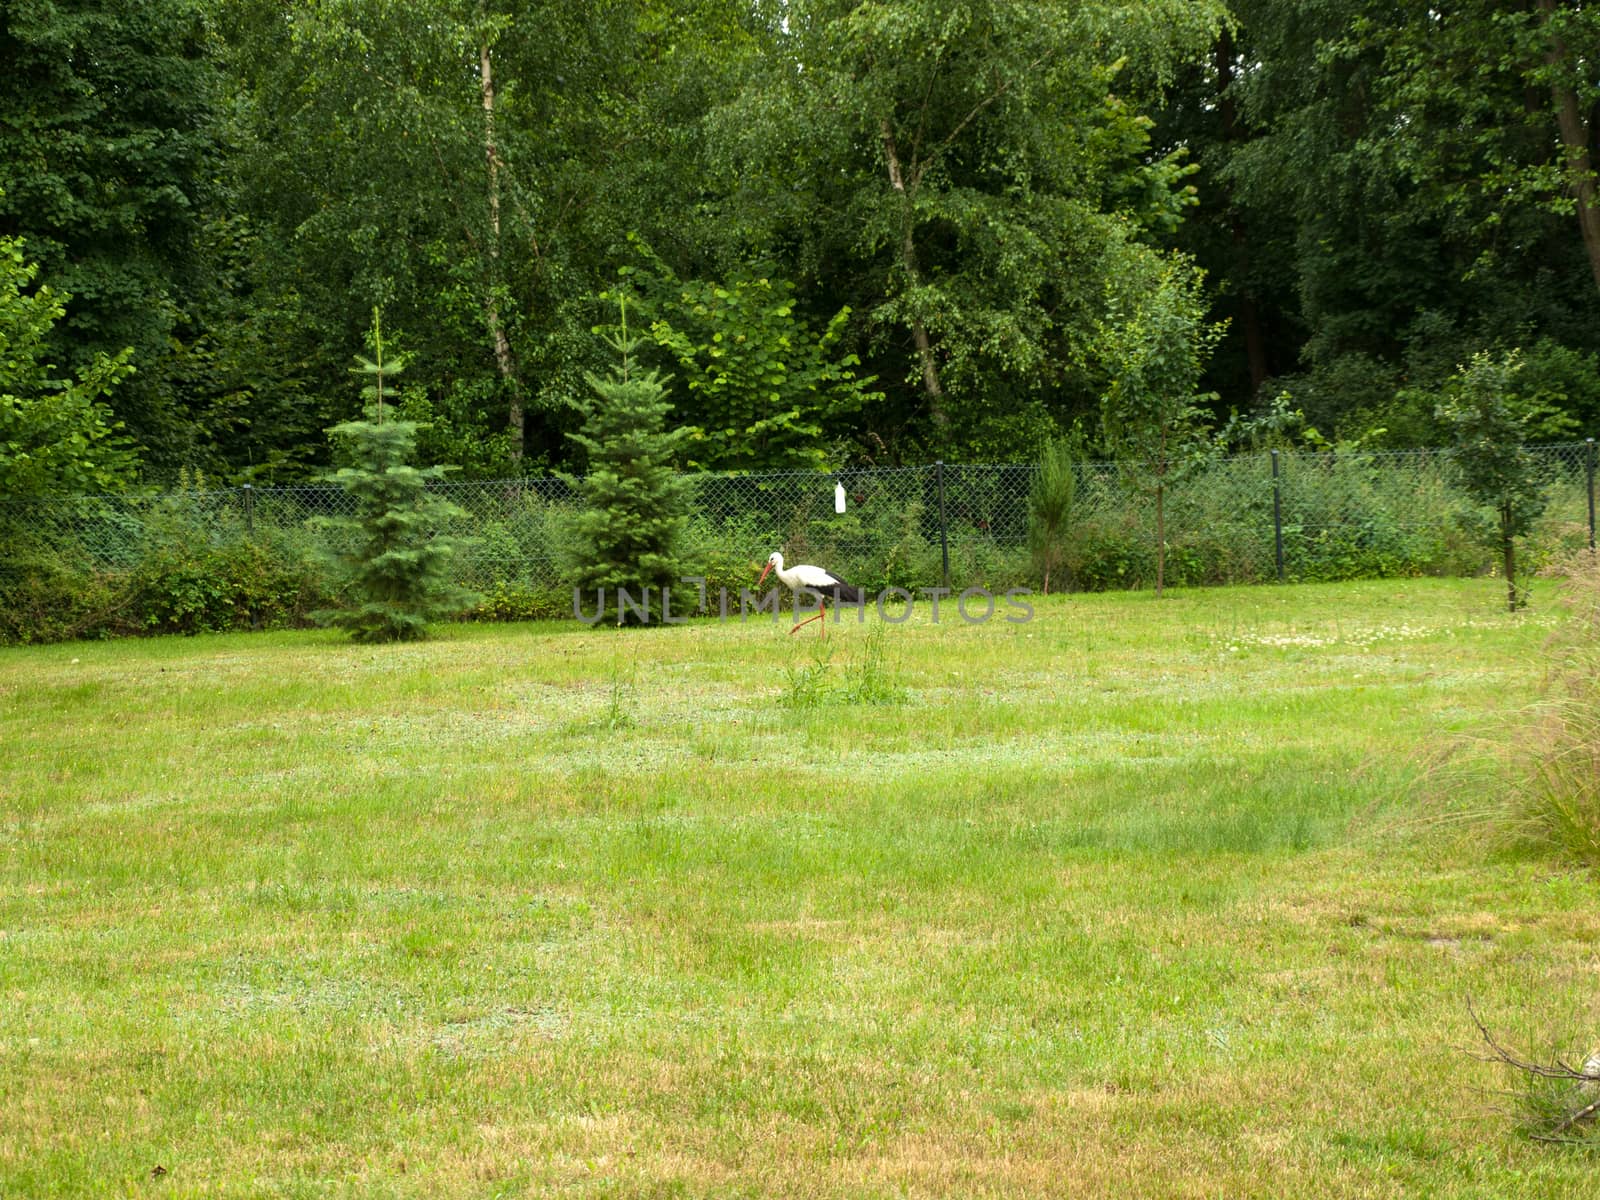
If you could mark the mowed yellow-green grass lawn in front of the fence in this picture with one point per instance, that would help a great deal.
(1135, 900)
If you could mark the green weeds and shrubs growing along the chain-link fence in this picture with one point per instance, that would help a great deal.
(250, 558)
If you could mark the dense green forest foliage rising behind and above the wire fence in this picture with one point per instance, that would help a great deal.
(878, 233)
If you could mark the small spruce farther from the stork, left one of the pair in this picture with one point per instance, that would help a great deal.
(398, 566)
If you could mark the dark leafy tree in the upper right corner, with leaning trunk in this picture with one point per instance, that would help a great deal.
(1383, 191)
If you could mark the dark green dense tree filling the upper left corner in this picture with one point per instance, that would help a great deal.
(108, 119)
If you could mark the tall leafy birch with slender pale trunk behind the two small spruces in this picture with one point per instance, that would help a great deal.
(474, 167)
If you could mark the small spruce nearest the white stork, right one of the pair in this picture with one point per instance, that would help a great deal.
(636, 505)
